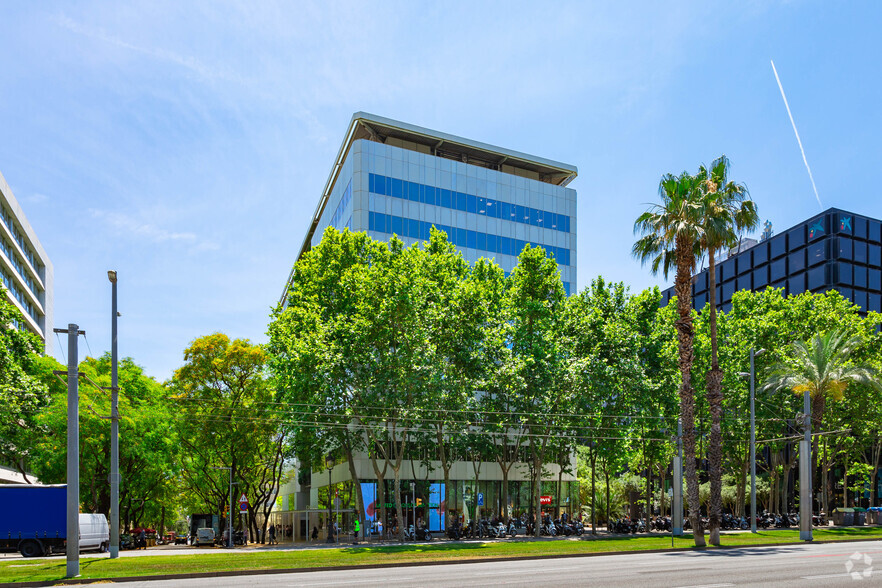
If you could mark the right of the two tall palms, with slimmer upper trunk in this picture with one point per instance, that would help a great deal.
(725, 212)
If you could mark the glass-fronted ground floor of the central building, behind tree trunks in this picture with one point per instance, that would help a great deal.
(471, 493)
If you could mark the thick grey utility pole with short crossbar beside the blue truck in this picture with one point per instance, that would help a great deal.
(72, 547)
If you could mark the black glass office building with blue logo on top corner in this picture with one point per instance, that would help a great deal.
(836, 250)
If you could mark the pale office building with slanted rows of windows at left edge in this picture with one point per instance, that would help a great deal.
(25, 268)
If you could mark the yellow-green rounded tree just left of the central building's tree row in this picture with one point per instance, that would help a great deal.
(226, 419)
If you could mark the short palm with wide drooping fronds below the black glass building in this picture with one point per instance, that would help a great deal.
(823, 368)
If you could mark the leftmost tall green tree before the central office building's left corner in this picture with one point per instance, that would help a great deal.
(316, 350)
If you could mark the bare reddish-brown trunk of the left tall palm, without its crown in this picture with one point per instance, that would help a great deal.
(685, 336)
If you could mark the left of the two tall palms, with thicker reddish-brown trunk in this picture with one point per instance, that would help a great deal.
(671, 235)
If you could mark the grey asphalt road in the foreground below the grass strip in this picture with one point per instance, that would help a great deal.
(819, 566)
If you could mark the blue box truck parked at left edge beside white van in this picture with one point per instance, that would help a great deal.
(34, 519)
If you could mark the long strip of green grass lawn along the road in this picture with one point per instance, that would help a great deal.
(29, 570)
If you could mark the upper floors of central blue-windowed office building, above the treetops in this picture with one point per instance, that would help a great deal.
(391, 177)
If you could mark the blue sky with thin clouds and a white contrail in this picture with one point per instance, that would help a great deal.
(185, 144)
